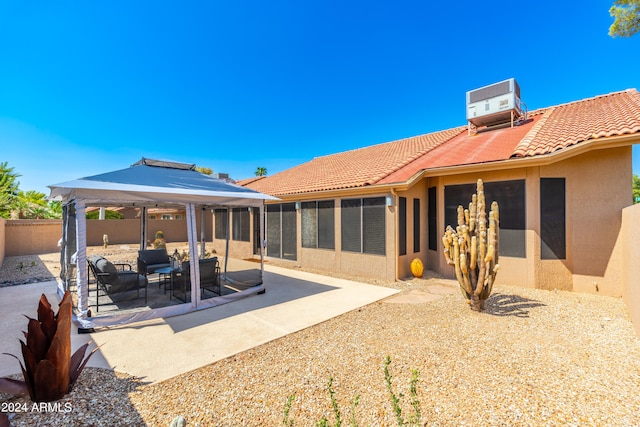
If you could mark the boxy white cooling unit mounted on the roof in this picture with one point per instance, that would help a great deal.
(494, 104)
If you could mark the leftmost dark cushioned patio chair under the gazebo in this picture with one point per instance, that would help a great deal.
(113, 279)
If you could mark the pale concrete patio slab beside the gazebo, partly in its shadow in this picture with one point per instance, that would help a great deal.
(159, 349)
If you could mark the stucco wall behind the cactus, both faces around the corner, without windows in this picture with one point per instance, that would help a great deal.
(598, 188)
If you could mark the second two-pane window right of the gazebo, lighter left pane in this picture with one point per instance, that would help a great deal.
(318, 224)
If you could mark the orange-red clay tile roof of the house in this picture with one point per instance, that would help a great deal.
(545, 131)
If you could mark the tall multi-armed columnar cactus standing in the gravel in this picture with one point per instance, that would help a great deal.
(472, 249)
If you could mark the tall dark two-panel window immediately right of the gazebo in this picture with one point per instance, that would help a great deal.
(281, 231)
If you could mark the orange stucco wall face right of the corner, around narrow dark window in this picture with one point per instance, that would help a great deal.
(598, 186)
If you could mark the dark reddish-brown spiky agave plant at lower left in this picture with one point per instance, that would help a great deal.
(49, 370)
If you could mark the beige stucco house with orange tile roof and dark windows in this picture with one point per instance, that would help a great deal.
(562, 176)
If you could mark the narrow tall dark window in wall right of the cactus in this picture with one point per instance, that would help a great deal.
(553, 218)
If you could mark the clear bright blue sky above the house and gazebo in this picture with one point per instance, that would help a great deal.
(90, 87)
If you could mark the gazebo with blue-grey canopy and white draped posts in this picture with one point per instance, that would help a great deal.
(146, 183)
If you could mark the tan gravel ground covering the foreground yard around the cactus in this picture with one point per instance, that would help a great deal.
(533, 358)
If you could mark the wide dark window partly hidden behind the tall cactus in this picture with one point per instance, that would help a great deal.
(510, 196)
